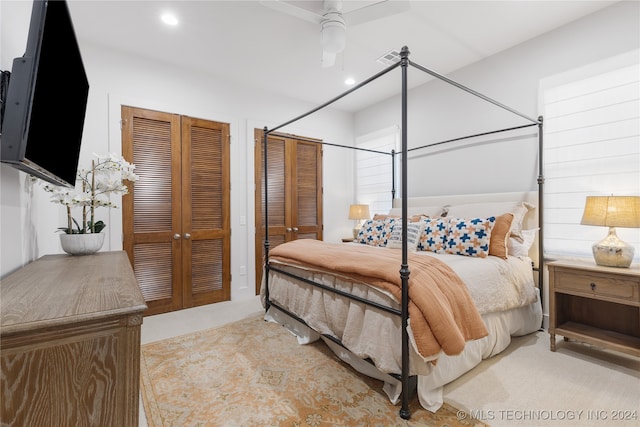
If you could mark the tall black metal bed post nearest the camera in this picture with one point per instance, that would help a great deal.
(404, 268)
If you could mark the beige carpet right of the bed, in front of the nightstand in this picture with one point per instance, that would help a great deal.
(529, 385)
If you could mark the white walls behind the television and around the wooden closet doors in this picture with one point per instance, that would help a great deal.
(28, 219)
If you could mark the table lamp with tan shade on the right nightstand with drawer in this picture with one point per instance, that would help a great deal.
(612, 211)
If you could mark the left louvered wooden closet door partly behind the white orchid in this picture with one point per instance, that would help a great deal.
(151, 213)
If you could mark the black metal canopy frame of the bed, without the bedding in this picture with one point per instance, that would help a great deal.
(404, 377)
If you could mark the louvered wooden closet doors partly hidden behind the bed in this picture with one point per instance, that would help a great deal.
(294, 191)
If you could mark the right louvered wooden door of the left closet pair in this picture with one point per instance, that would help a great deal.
(206, 242)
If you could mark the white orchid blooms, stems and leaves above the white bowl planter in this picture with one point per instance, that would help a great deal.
(93, 187)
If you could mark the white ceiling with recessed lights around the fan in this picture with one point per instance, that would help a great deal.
(259, 47)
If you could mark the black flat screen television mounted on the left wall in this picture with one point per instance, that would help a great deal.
(46, 98)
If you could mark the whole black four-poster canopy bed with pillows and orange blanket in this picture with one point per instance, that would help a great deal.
(425, 292)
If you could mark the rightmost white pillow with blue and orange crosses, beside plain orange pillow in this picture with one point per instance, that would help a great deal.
(469, 237)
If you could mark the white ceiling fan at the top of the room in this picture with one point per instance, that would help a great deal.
(333, 21)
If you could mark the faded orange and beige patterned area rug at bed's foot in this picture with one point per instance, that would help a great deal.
(254, 373)
